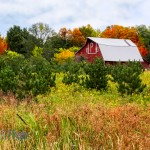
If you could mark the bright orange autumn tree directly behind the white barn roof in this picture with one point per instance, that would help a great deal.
(120, 32)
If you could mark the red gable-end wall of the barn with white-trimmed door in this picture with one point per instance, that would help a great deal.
(89, 52)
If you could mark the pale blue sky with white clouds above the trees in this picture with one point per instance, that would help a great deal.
(73, 13)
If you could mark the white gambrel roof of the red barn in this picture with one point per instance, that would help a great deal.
(117, 49)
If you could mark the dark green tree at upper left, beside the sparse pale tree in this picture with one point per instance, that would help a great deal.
(21, 41)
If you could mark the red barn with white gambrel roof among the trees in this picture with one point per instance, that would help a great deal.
(111, 50)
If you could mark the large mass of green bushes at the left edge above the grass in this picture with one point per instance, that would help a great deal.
(25, 77)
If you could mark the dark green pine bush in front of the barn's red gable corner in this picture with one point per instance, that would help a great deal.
(96, 75)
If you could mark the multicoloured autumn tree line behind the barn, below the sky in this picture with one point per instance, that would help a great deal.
(40, 39)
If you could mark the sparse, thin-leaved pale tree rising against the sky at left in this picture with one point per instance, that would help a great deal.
(41, 31)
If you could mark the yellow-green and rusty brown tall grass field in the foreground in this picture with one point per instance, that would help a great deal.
(72, 118)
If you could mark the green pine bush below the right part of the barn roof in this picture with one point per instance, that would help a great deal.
(128, 78)
